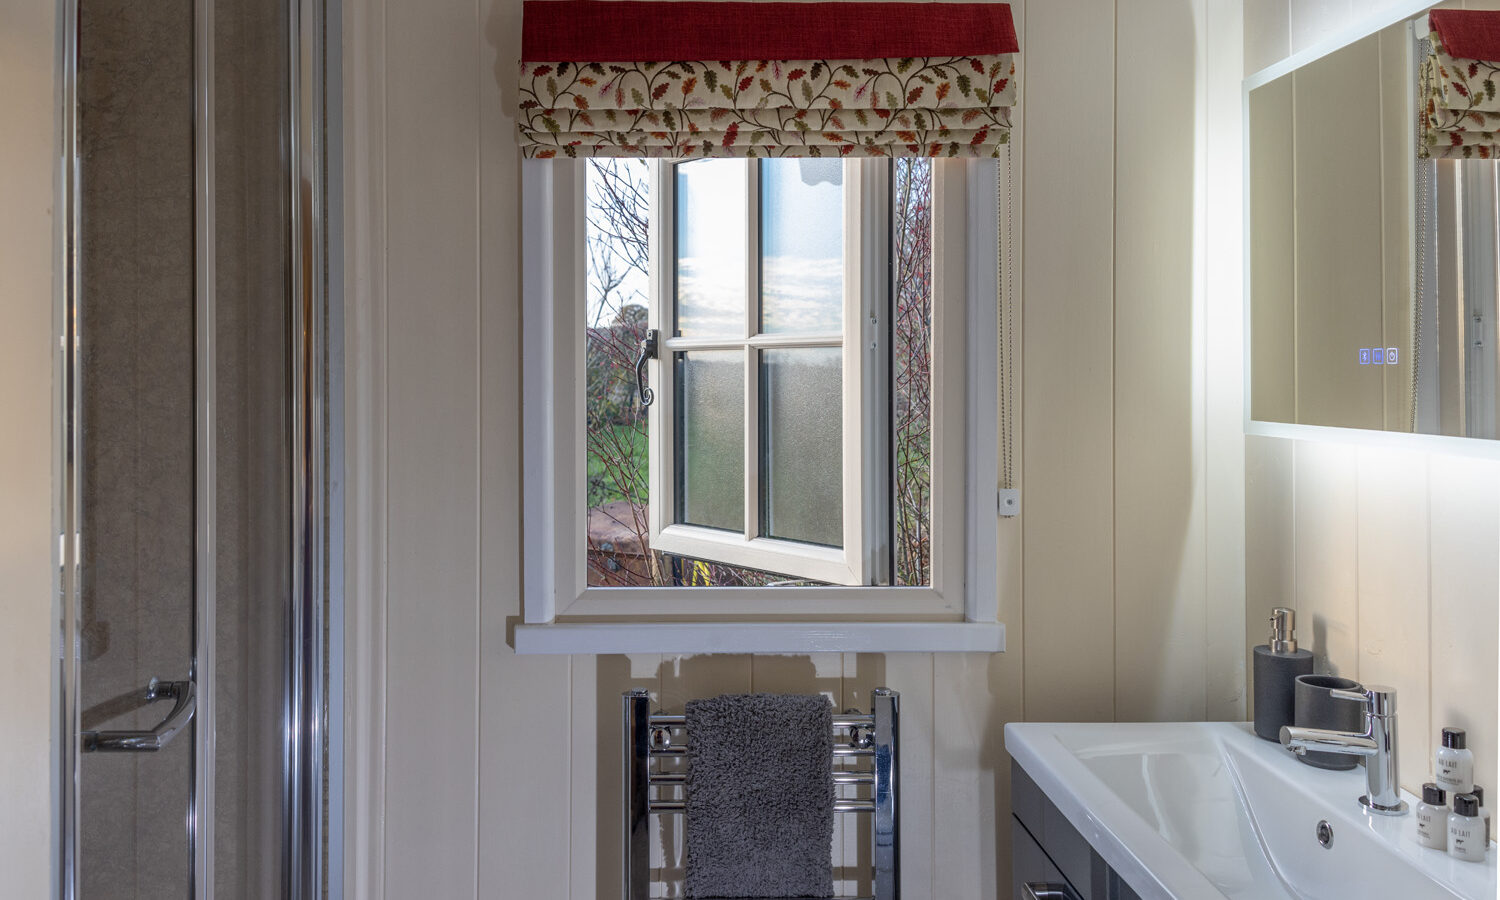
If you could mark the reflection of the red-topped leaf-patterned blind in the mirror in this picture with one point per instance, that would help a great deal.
(1459, 86)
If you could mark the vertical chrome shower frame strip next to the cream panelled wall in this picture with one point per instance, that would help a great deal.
(314, 680)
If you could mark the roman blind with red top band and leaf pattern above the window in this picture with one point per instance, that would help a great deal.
(688, 79)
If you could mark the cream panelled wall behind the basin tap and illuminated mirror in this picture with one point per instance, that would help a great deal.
(1391, 557)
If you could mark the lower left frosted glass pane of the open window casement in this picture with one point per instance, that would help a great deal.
(710, 439)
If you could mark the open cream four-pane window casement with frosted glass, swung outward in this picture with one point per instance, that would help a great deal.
(769, 437)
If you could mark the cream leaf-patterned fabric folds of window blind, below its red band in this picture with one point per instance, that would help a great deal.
(916, 106)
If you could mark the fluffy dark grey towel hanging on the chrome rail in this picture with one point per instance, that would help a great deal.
(760, 797)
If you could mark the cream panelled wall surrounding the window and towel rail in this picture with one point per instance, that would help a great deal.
(482, 773)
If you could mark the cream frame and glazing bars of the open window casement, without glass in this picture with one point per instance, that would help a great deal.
(866, 257)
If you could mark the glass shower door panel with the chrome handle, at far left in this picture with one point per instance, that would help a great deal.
(137, 436)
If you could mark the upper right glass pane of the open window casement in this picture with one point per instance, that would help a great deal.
(802, 247)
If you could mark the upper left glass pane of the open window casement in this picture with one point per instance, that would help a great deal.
(713, 232)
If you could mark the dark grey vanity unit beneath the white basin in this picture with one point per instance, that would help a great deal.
(1049, 859)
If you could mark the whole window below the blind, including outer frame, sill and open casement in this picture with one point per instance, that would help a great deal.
(802, 461)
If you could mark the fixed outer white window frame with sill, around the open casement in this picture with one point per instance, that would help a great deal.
(956, 613)
